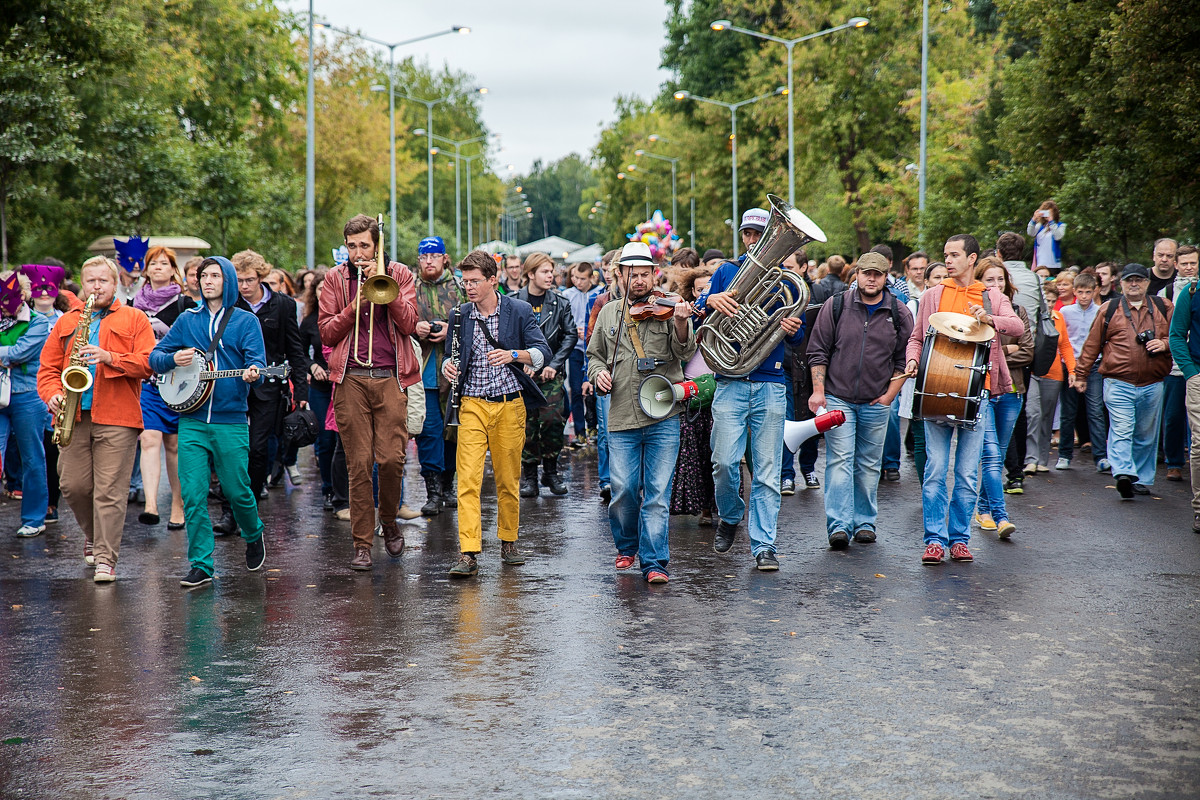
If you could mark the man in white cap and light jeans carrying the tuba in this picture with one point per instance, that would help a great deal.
(757, 405)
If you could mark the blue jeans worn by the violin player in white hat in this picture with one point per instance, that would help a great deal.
(643, 464)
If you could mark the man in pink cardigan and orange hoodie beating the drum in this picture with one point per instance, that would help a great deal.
(961, 294)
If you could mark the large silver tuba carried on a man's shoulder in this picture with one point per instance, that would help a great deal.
(736, 346)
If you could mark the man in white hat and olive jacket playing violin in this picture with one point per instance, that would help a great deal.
(623, 352)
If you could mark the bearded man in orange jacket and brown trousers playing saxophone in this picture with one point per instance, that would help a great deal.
(98, 461)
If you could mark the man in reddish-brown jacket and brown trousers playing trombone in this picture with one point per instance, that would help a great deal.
(367, 321)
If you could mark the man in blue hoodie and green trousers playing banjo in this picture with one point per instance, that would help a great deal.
(217, 432)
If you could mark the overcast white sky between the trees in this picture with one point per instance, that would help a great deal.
(553, 69)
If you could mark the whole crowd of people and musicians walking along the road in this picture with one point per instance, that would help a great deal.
(525, 358)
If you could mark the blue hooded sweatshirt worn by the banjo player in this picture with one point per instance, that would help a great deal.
(241, 347)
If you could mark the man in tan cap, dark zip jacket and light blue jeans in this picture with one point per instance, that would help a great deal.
(857, 352)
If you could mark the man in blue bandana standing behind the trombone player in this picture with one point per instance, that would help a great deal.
(437, 294)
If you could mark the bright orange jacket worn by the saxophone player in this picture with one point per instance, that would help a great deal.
(117, 393)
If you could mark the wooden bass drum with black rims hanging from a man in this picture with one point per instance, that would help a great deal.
(951, 378)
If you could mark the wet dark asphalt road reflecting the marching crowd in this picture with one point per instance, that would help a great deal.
(1065, 664)
